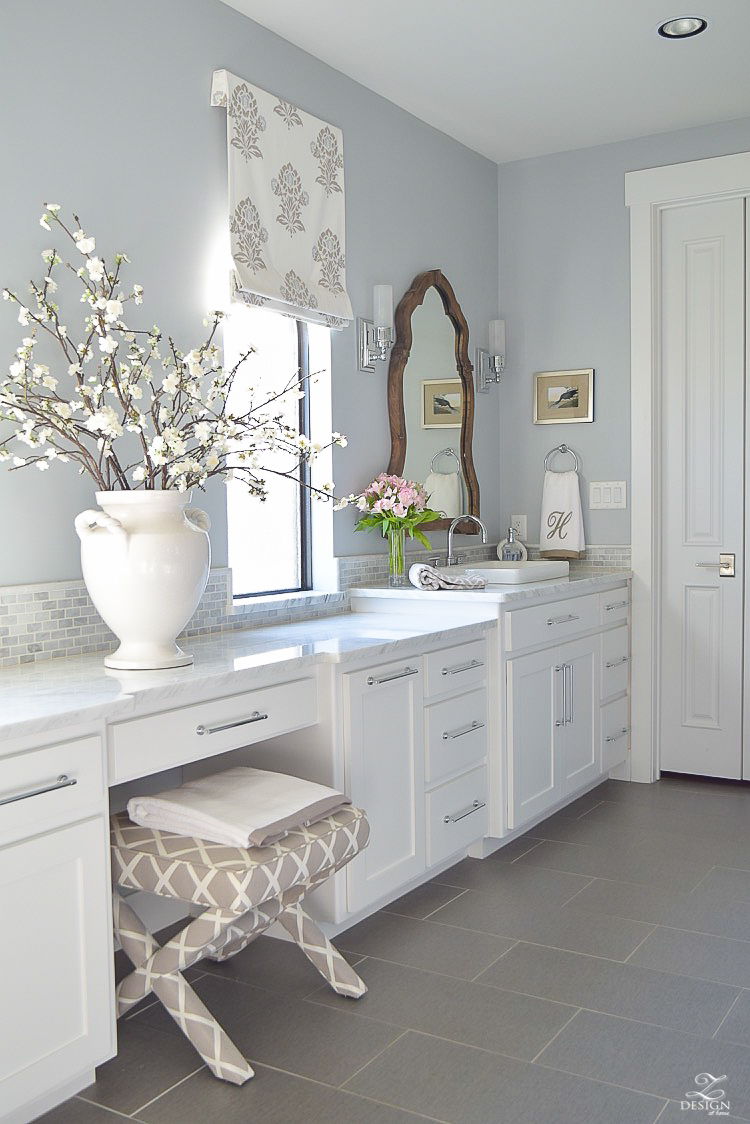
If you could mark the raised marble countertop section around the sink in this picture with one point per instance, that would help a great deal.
(575, 585)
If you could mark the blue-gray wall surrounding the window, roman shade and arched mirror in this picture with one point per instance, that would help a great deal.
(105, 110)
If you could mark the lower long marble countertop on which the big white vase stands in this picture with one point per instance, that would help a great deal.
(41, 697)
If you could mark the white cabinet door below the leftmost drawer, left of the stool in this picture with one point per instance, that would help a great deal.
(56, 948)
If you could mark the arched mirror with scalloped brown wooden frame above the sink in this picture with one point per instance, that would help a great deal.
(431, 398)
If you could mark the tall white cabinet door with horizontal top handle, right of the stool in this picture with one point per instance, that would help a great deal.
(385, 738)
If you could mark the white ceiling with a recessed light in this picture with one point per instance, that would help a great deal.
(513, 79)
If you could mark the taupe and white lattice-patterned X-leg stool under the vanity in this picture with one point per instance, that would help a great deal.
(243, 893)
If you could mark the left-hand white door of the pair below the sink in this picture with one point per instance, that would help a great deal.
(535, 694)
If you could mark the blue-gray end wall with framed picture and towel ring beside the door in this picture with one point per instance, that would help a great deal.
(565, 293)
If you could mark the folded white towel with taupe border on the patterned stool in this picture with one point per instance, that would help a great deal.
(240, 808)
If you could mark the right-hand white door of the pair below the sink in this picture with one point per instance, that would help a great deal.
(580, 744)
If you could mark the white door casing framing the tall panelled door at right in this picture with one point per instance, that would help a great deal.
(648, 194)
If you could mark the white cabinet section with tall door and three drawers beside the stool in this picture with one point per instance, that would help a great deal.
(415, 745)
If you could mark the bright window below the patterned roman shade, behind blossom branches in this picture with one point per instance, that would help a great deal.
(269, 542)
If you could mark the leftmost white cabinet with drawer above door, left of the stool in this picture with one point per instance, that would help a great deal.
(56, 936)
